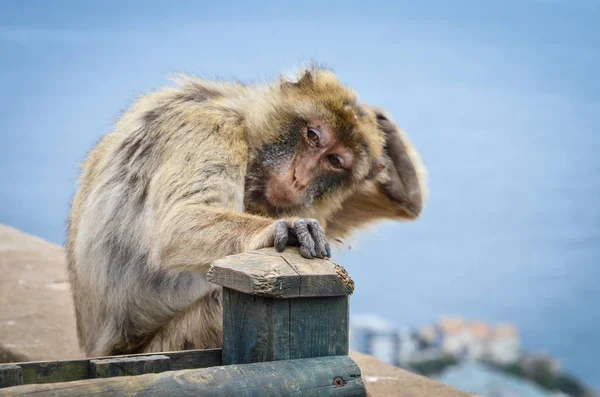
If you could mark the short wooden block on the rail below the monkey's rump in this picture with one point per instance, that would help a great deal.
(126, 366)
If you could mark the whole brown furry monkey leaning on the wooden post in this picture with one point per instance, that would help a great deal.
(204, 169)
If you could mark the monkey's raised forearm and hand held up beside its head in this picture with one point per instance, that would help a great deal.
(399, 180)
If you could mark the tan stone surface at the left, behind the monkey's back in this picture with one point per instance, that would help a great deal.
(36, 311)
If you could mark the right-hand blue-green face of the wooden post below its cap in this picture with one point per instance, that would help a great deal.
(318, 327)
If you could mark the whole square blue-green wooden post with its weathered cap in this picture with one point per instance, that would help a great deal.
(281, 306)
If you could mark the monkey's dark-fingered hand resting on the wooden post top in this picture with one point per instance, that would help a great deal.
(304, 233)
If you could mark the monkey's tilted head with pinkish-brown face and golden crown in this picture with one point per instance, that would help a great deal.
(319, 144)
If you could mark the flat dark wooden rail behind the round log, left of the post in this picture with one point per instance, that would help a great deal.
(71, 370)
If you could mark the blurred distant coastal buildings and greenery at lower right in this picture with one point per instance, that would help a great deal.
(458, 352)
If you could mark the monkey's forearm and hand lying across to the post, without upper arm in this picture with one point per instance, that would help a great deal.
(193, 235)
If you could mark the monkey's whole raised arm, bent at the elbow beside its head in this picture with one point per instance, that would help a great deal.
(398, 192)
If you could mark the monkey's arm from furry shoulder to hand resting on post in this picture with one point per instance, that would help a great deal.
(199, 217)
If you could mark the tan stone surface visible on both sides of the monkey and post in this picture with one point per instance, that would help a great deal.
(37, 320)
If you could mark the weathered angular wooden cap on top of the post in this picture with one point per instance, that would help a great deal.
(286, 274)
